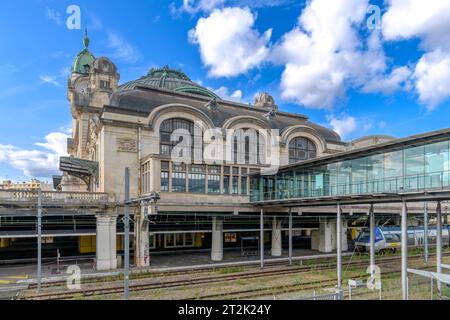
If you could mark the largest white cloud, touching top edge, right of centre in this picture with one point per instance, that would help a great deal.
(324, 54)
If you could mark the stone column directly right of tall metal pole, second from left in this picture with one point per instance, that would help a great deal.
(142, 255)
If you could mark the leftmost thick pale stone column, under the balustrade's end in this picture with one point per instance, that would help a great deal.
(106, 242)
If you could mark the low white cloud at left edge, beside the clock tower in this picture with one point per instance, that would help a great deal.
(36, 163)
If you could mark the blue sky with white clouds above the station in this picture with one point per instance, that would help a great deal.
(316, 58)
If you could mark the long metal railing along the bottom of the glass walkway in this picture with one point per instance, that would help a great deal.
(412, 183)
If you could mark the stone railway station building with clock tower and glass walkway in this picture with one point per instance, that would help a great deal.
(218, 166)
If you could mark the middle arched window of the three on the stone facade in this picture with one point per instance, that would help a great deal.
(248, 147)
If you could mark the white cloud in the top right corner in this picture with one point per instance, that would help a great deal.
(430, 22)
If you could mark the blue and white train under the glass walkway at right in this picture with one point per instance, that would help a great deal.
(389, 238)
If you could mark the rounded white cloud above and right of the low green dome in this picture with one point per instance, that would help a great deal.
(229, 45)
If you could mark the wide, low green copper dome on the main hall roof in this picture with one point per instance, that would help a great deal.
(169, 79)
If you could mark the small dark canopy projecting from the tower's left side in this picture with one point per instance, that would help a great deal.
(80, 168)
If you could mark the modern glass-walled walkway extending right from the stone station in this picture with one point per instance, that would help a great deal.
(403, 166)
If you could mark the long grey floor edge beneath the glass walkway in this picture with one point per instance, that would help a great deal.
(374, 198)
